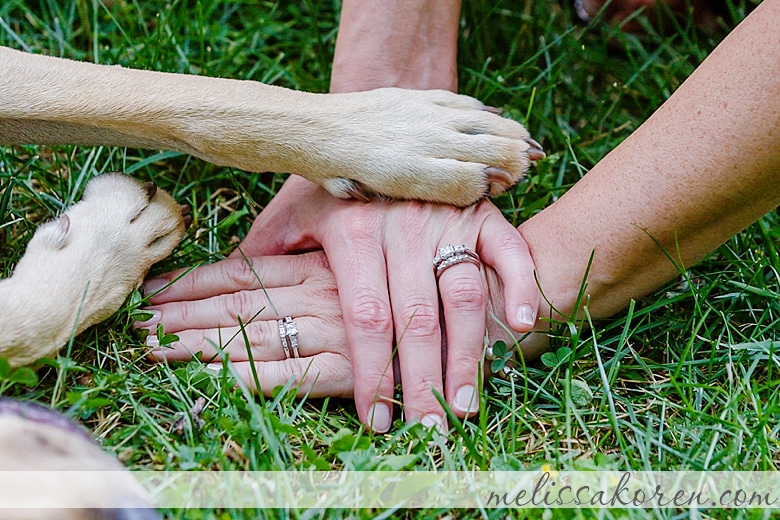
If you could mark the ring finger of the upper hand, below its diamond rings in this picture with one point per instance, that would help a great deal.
(463, 297)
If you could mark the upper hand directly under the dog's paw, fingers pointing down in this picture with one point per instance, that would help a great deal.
(381, 255)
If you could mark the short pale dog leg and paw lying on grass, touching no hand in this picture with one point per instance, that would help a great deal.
(79, 269)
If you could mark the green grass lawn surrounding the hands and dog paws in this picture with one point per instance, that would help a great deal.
(684, 379)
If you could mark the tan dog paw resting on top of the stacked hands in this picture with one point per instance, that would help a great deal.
(427, 145)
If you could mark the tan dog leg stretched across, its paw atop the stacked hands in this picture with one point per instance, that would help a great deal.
(427, 145)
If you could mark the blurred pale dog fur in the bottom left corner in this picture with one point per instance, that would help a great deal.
(51, 470)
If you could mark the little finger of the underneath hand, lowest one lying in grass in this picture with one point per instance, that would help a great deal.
(324, 375)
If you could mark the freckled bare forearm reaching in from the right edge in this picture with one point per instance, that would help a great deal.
(702, 168)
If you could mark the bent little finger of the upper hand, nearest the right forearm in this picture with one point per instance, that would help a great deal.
(501, 246)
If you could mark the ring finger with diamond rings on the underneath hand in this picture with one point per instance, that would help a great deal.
(315, 336)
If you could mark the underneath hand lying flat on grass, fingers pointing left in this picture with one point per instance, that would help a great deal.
(204, 306)
